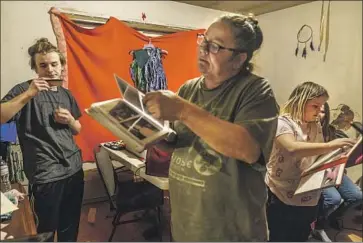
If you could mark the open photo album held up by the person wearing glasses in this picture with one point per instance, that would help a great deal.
(128, 119)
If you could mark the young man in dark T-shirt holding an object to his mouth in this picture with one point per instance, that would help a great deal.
(47, 116)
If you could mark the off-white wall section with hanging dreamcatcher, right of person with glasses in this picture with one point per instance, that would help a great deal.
(341, 74)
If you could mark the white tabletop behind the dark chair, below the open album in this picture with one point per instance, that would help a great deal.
(132, 162)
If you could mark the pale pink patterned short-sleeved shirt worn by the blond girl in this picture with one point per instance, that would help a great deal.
(284, 171)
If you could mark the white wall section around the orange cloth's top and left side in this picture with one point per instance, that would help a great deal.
(24, 21)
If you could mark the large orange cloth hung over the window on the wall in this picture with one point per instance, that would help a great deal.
(94, 55)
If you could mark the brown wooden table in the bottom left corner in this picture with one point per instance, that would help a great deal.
(22, 223)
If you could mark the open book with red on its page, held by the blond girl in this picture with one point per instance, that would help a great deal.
(328, 169)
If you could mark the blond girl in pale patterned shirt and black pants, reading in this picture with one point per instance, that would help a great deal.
(299, 140)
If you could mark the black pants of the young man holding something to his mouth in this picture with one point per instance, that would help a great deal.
(57, 206)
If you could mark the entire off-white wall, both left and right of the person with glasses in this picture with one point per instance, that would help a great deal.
(22, 22)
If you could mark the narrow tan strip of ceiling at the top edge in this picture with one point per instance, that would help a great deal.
(245, 7)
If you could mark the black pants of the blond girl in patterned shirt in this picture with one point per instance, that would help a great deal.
(288, 223)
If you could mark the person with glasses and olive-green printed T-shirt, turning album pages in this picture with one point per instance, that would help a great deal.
(225, 122)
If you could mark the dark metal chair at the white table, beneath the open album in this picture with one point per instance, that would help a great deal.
(125, 195)
